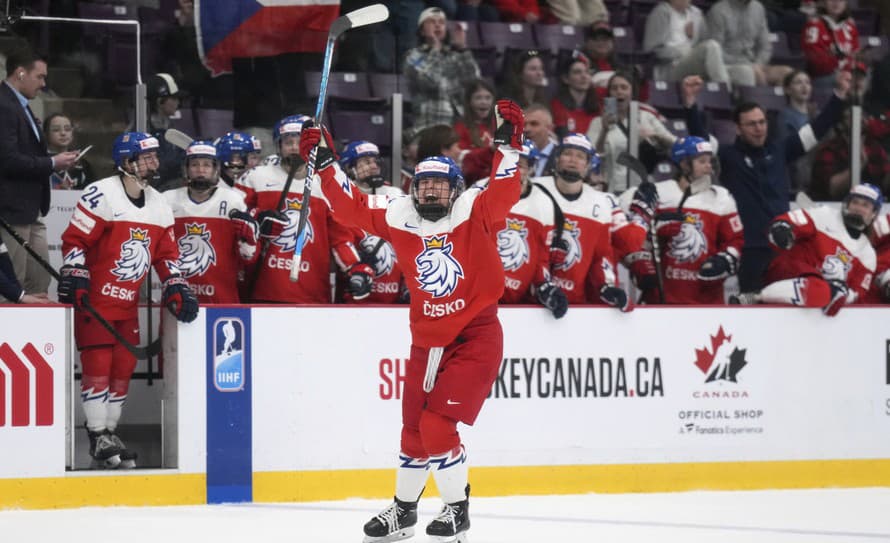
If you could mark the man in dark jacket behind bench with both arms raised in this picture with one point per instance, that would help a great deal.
(754, 169)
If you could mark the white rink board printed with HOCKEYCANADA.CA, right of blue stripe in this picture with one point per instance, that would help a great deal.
(816, 395)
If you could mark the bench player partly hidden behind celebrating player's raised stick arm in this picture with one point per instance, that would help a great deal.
(362, 163)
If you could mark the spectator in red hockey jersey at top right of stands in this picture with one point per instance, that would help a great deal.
(828, 41)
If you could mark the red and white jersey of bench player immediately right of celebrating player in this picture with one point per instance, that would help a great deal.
(524, 246)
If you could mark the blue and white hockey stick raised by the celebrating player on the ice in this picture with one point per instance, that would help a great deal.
(372, 14)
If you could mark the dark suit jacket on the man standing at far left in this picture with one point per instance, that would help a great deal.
(25, 167)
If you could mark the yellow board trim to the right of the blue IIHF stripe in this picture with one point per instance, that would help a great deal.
(612, 478)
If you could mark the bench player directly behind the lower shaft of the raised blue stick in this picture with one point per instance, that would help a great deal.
(325, 237)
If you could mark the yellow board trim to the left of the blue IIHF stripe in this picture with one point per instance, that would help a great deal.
(133, 489)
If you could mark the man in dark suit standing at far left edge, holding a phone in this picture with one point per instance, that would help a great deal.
(25, 167)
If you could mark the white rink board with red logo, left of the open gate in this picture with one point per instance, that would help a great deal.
(35, 449)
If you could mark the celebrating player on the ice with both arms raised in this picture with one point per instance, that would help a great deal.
(444, 237)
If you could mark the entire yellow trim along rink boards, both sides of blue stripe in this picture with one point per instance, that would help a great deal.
(146, 489)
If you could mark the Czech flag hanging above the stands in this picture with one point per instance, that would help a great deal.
(260, 28)
